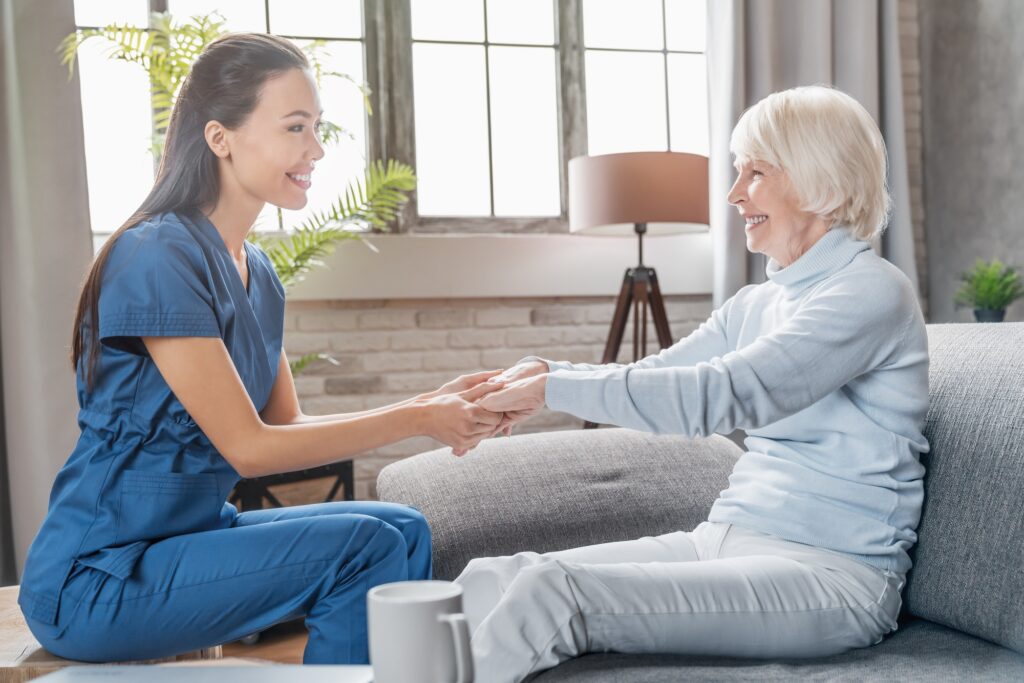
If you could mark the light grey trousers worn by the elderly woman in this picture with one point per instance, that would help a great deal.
(719, 590)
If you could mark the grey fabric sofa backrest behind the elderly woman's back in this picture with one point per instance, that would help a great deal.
(969, 562)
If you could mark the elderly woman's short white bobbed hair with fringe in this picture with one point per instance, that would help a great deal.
(830, 147)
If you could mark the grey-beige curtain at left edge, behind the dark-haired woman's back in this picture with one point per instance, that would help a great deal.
(46, 247)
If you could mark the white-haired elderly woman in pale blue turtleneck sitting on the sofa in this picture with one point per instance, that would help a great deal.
(826, 368)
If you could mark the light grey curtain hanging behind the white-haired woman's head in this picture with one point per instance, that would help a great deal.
(756, 48)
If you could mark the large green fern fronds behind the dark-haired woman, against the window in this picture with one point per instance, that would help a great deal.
(166, 50)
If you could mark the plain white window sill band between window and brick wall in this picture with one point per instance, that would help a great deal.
(452, 267)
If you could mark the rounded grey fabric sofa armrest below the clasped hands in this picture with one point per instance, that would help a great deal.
(562, 490)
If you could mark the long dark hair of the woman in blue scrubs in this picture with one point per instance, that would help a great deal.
(225, 86)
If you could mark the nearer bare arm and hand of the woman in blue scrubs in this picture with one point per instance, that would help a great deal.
(201, 374)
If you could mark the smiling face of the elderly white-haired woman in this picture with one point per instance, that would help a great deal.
(776, 225)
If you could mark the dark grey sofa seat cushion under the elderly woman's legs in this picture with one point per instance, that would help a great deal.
(920, 651)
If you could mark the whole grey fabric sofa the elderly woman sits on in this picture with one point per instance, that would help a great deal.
(964, 604)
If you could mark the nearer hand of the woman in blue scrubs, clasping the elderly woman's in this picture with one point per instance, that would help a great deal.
(457, 420)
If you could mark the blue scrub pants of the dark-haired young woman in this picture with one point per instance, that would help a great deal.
(204, 589)
